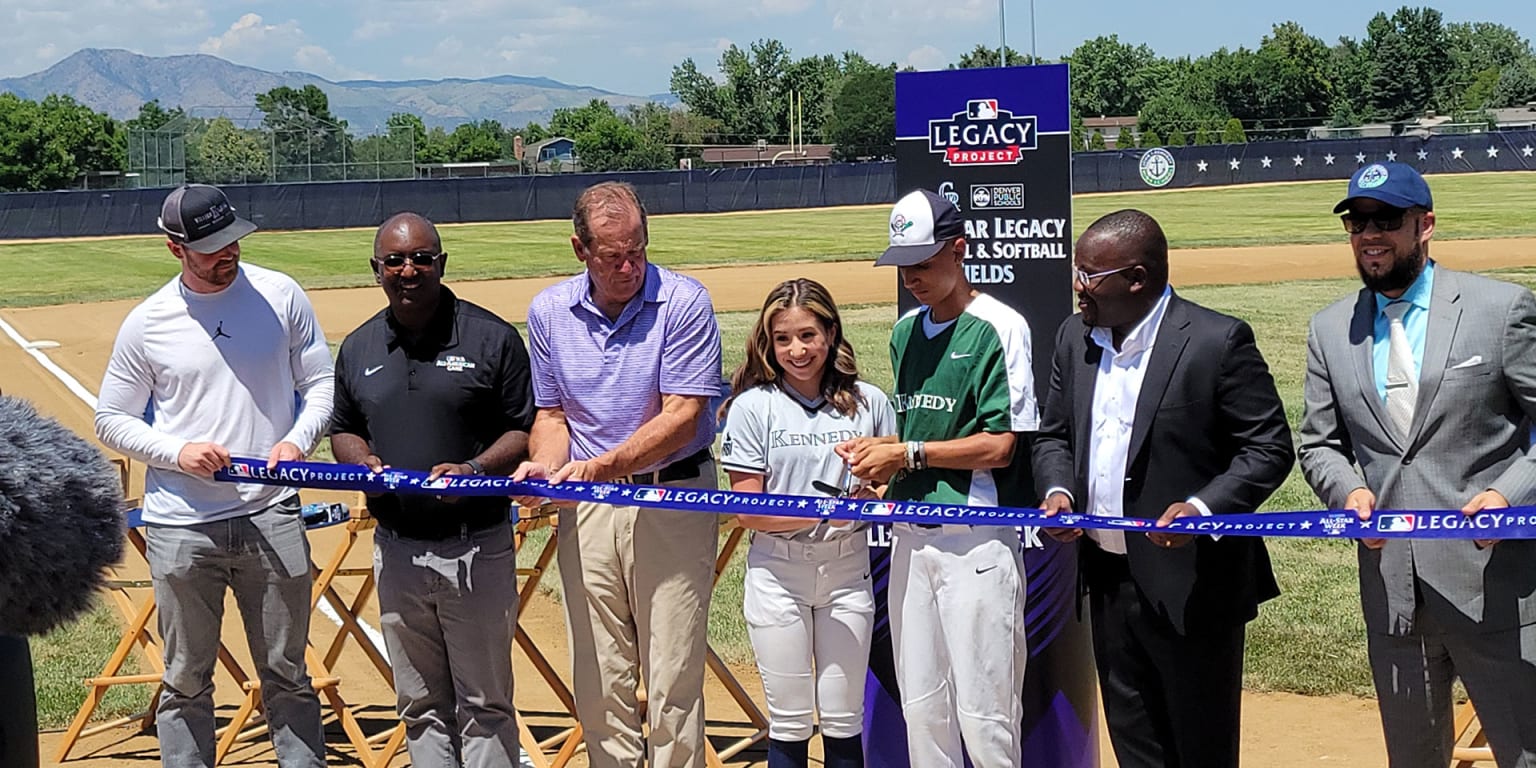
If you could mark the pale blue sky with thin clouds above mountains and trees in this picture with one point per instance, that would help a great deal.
(632, 45)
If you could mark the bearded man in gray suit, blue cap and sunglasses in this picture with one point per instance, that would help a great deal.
(1426, 380)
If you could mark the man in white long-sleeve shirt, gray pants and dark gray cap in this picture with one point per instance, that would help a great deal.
(219, 354)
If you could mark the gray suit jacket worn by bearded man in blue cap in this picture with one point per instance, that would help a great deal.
(1471, 434)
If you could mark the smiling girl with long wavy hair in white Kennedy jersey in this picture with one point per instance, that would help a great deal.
(809, 603)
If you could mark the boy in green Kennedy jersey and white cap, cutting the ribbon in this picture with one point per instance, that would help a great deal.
(965, 403)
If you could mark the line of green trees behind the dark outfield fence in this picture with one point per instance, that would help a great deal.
(1405, 65)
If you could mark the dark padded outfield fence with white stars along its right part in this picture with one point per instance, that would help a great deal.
(325, 205)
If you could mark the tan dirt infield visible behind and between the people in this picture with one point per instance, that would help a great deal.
(1279, 730)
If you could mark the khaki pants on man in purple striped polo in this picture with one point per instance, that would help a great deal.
(638, 586)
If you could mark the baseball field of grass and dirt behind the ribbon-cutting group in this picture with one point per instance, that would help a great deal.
(1268, 254)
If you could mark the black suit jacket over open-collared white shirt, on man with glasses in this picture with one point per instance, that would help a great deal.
(1208, 425)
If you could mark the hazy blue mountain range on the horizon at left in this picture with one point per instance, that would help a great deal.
(118, 82)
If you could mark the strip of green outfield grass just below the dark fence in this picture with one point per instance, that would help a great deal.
(1477, 207)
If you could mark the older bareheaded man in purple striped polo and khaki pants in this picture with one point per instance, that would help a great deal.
(626, 360)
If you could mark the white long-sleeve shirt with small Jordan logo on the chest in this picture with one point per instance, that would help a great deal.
(247, 368)
